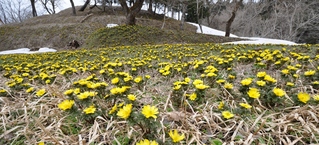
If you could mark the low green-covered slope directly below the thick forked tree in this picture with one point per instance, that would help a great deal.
(146, 35)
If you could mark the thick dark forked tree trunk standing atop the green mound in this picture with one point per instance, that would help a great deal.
(132, 11)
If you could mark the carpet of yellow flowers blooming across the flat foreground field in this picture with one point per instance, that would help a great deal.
(100, 80)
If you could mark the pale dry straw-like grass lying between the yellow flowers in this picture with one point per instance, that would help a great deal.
(27, 119)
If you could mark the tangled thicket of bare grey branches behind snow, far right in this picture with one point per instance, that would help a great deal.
(280, 19)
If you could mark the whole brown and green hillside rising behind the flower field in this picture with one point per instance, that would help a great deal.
(57, 30)
